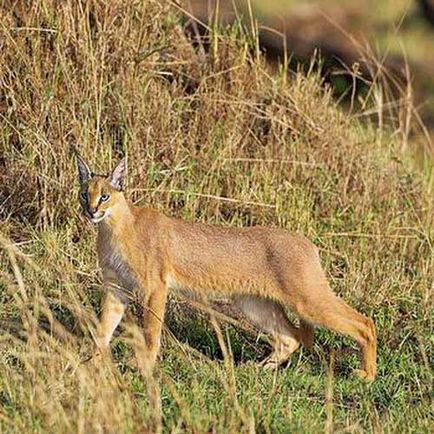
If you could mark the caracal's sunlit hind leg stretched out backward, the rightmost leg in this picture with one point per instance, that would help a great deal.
(326, 309)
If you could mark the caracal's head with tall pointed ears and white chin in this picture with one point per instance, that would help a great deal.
(99, 194)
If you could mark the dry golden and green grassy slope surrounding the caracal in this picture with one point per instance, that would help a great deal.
(120, 78)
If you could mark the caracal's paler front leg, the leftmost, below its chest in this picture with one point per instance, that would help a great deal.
(112, 313)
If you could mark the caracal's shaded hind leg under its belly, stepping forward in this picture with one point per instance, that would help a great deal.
(270, 317)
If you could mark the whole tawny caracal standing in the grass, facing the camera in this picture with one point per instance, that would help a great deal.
(262, 269)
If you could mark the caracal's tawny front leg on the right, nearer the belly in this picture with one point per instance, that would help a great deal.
(153, 321)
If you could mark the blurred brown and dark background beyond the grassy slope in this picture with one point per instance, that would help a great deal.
(350, 44)
